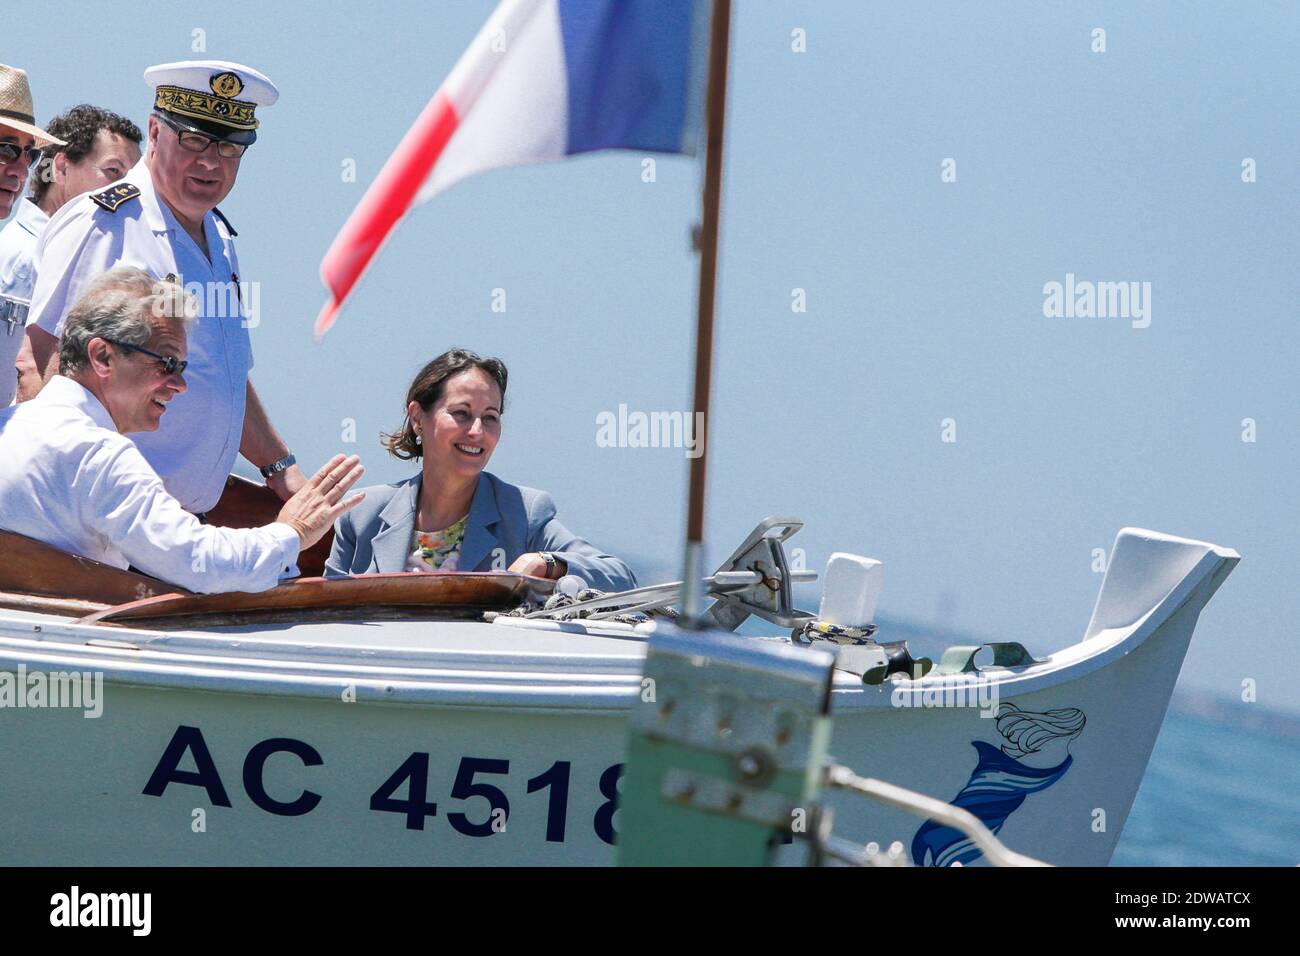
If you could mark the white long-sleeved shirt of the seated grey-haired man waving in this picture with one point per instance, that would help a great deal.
(70, 479)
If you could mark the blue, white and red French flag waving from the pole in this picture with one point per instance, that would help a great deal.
(543, 80)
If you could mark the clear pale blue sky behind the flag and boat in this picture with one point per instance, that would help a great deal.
(925, 299)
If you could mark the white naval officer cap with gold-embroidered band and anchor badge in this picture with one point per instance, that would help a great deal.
(213, 97)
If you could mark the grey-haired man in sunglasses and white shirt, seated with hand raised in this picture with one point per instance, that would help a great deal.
(70, 477)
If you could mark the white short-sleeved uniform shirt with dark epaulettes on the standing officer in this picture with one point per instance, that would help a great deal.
(200, 438)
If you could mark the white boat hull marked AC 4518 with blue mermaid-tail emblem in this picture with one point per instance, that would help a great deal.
(281, 738)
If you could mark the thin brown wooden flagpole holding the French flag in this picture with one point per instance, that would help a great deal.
(716, 109)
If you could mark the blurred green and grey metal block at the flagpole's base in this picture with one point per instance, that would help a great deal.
(725, 751)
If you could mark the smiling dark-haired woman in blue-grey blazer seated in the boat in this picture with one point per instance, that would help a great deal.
(454, 516)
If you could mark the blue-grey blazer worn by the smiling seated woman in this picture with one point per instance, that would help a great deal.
(375, 537)
